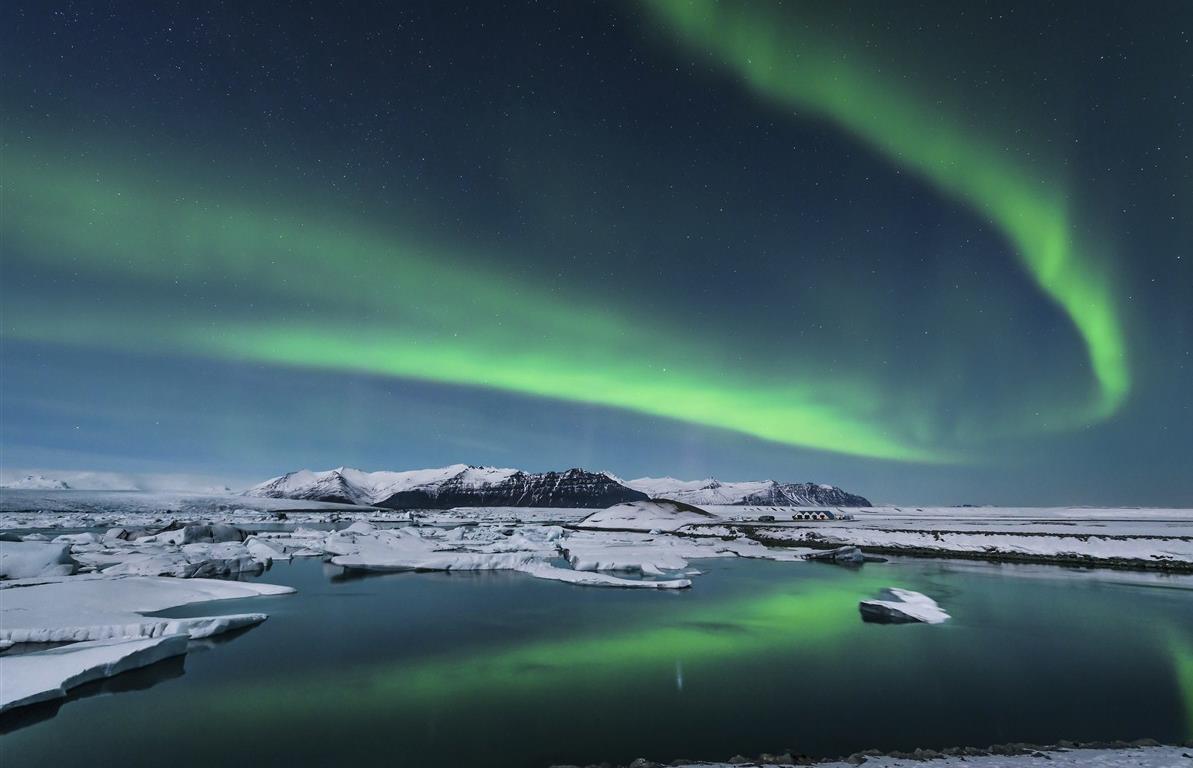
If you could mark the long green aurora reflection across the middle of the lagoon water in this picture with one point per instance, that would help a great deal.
(808, 616)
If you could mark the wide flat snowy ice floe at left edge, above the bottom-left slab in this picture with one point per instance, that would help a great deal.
(78, 609)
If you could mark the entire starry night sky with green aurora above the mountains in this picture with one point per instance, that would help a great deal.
(931, 252)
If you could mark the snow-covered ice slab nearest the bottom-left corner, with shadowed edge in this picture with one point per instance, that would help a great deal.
(45, 676)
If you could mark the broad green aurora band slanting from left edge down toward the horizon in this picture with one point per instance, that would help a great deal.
(348, 299)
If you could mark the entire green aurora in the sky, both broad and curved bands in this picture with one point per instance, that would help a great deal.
(236, 280)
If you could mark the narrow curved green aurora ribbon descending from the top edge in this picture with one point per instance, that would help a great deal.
(803, 70)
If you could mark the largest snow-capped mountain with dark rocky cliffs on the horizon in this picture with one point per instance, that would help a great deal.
(456, 486)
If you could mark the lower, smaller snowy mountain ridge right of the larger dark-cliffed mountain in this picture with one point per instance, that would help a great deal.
(761, 493)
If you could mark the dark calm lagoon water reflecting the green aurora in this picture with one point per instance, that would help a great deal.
(503, 670)
